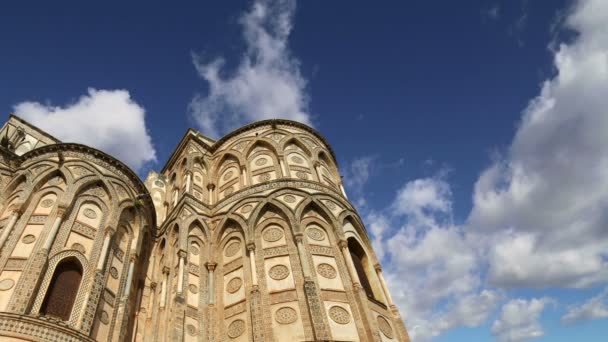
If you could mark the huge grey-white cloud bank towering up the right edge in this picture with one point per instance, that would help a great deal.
(548, 198)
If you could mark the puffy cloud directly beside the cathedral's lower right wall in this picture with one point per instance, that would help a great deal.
(431, 266)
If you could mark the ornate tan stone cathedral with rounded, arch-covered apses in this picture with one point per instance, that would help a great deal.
(247, 238)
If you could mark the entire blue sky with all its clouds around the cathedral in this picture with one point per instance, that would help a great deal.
(471, 134)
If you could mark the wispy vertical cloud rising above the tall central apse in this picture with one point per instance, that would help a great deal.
(266, 84)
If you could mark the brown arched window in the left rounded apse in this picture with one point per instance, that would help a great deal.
(62, 291)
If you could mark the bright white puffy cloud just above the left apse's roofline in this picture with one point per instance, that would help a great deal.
(109, 120)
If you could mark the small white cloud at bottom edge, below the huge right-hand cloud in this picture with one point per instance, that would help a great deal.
(519, 320)
